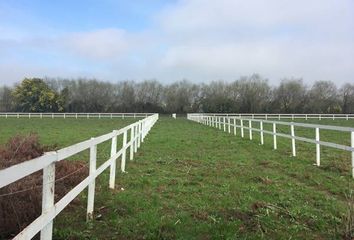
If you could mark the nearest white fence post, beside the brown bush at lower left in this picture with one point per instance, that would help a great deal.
(48, 198)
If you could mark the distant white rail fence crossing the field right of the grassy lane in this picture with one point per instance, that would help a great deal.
(279, 116)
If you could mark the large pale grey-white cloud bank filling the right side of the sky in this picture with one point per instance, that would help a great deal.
(228, 38)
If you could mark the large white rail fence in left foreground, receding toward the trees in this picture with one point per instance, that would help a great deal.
(44, 223)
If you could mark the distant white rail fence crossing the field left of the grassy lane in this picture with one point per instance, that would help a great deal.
(73, 115)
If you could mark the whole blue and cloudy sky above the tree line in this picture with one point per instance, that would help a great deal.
(198, 40)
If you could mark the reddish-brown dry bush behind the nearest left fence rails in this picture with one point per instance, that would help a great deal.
(19, 209)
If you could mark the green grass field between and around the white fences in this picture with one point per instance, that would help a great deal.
(189, 181)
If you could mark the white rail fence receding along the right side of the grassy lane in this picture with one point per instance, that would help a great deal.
(228, 122)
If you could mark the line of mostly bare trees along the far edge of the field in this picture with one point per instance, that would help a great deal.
(249, 94)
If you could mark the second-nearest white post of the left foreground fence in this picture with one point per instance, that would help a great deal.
(91, 187)
